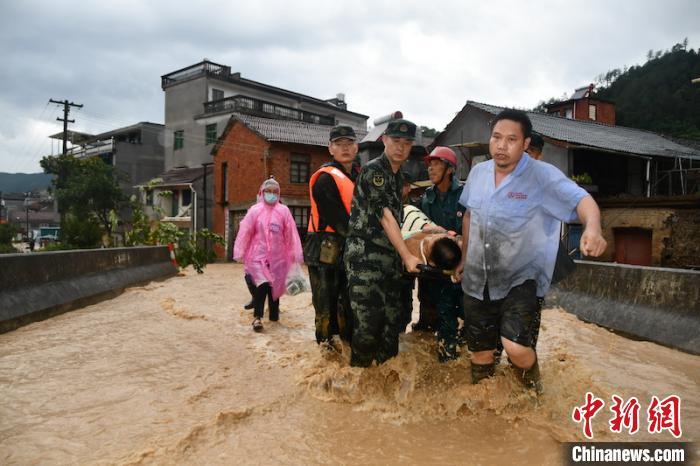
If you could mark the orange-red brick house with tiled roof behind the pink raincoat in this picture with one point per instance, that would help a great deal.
(250, 150)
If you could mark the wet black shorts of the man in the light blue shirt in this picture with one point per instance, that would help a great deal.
(513, 317)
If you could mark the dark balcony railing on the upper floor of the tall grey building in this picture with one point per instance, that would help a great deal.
(249, 105)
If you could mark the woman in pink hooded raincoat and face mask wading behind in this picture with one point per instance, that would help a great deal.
(268, 243)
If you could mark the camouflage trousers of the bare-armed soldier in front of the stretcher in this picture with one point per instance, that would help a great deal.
(374, 285)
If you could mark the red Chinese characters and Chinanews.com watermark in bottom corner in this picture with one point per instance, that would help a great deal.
(628, 417)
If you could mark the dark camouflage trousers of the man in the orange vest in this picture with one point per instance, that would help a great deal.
(329, 291)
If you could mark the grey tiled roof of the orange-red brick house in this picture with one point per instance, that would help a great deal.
(289, 130)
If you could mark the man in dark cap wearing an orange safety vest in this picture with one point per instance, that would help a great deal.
(330, 190)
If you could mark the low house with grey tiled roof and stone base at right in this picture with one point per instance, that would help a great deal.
(647, 185)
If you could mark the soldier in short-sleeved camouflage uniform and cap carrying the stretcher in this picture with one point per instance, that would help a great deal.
(374, 250)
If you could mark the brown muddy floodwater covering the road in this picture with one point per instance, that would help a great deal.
(172, 373)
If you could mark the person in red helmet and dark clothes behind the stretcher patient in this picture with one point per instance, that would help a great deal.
(443, 298)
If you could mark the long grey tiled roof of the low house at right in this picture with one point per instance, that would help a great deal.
(601, 136)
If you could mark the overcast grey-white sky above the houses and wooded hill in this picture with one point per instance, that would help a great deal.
(426, 58)
